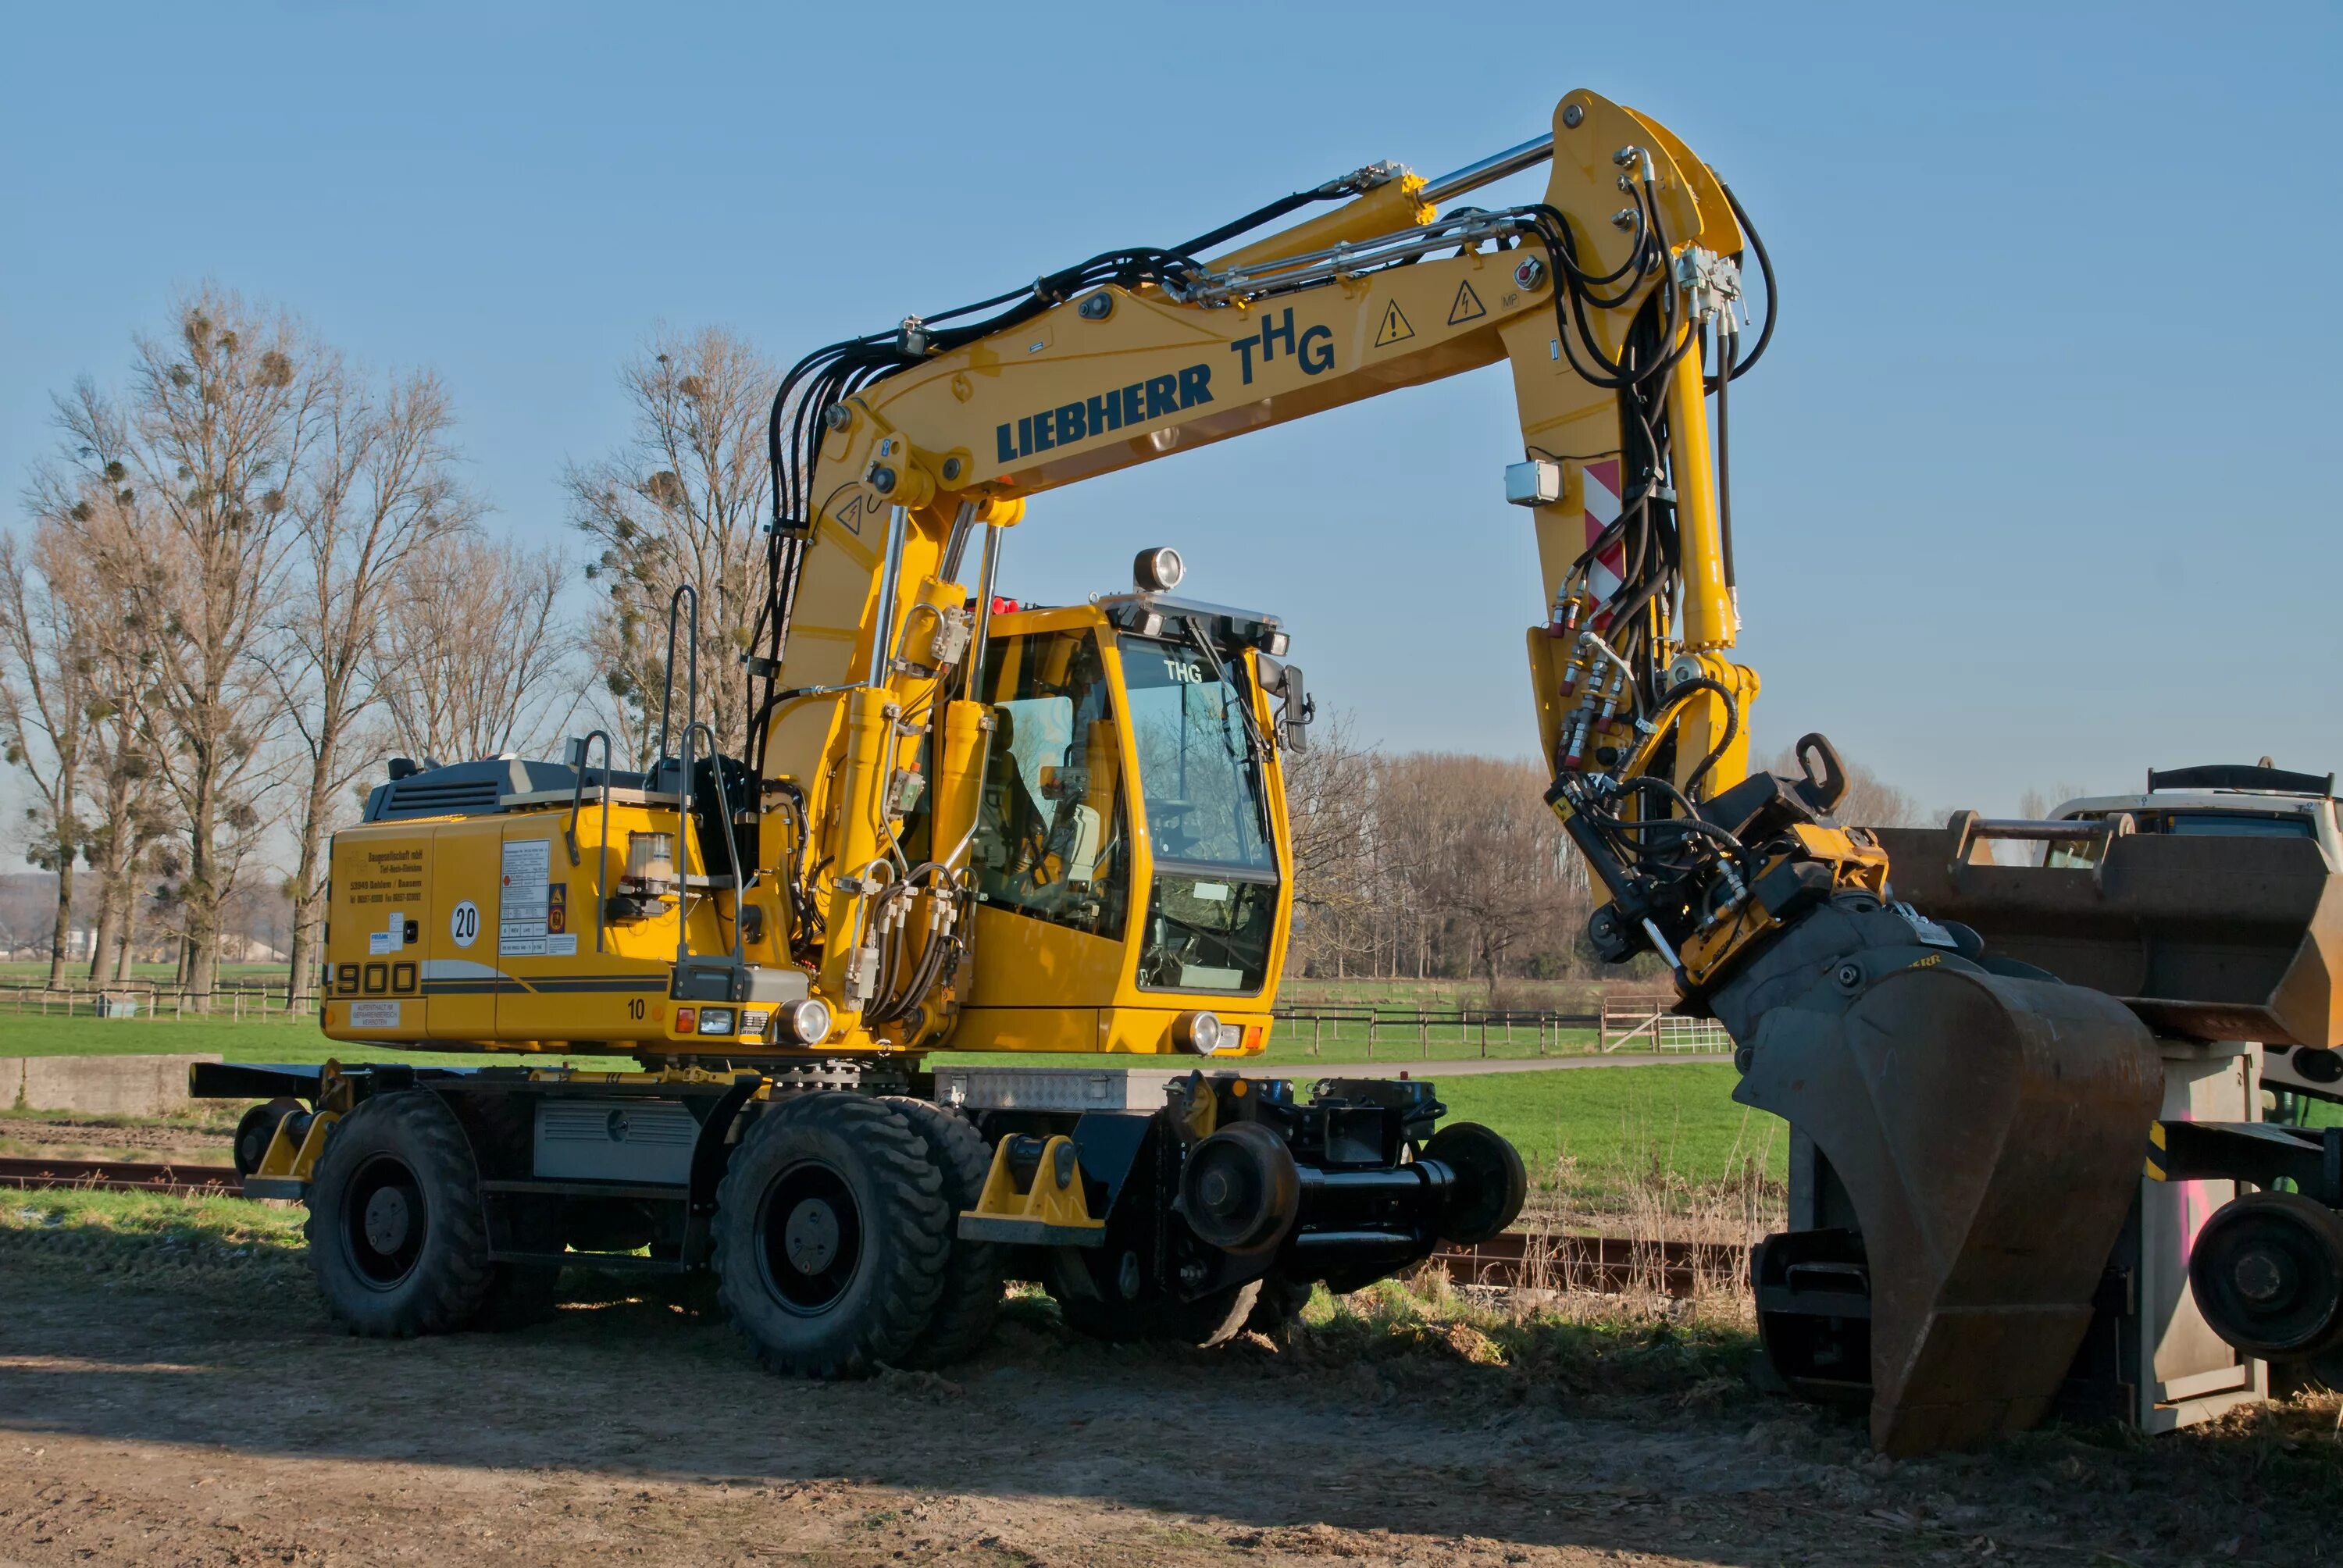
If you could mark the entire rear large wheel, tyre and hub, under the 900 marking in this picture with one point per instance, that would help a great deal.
(397, 1239)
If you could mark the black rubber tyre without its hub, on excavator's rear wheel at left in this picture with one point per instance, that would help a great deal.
(451, 1274)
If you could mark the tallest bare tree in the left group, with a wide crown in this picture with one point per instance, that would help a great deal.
(207, 444)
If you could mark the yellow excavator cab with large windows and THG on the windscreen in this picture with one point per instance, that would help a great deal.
(1130, 847)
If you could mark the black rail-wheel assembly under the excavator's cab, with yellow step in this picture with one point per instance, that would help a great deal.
(1224, 1180)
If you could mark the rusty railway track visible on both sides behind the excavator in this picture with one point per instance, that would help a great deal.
(1512, 1260)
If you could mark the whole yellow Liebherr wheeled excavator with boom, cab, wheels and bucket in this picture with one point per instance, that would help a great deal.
(964, 824)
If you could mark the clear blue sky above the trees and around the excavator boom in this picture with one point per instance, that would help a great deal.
(2035, 486)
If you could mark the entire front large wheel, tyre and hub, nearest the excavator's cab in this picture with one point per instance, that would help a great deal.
(833, 1236)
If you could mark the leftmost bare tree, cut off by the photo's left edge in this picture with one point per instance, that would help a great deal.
(46, 697)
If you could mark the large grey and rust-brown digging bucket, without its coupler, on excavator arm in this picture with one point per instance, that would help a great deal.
(1988, 1136)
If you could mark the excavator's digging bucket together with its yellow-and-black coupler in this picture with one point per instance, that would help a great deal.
(1979, 1117)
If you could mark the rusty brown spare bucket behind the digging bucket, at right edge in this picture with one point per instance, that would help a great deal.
(2206, 939)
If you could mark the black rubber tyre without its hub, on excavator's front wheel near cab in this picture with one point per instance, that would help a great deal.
(899, 1194)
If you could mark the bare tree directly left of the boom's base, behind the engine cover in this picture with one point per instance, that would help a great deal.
(681, 503)
